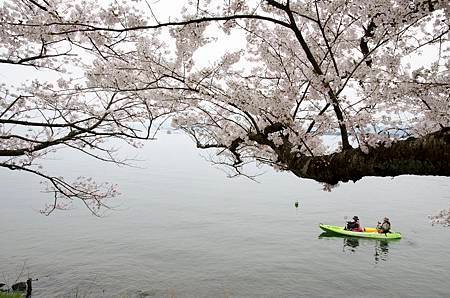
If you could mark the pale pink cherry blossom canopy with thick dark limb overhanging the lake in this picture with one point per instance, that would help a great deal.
(375, 74)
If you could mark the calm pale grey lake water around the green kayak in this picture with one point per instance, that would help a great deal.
(182, 229)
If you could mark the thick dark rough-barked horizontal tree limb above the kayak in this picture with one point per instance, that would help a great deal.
(428, 155)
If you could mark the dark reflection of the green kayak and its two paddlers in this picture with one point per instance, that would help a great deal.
(351, 244)
